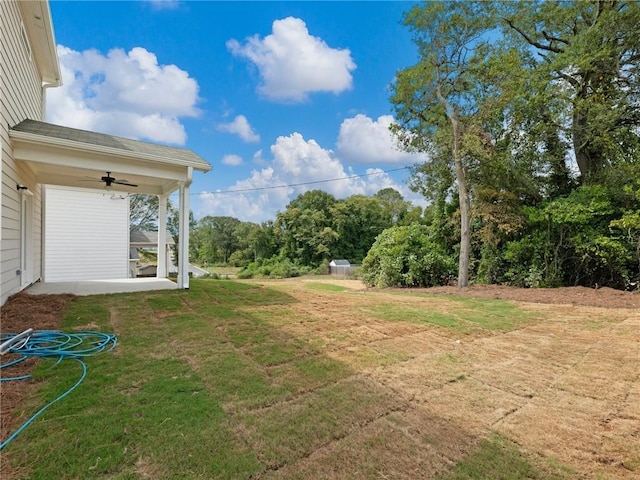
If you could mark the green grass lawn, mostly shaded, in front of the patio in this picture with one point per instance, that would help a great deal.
(203, 384)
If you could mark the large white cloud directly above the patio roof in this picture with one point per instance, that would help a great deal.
(123, 93)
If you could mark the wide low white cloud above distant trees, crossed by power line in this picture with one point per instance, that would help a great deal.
(296, 165)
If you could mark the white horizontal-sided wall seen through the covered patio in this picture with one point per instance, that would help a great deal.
(86, 235)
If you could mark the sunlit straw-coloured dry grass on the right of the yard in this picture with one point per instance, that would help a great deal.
(559, 380)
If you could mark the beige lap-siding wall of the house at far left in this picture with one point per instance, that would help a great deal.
(21, 96)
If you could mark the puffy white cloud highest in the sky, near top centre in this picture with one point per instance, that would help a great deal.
(292, 63)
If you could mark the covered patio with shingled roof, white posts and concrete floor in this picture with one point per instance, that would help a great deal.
(68, 157)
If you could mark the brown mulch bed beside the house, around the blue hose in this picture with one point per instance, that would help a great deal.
(23, 311)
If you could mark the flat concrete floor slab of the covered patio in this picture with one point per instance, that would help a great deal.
(98, 287)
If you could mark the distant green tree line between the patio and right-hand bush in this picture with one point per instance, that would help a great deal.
(314, 228)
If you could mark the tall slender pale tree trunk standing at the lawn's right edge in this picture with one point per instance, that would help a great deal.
(465, 210)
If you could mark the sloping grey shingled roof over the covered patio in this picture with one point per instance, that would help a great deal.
(140, 149)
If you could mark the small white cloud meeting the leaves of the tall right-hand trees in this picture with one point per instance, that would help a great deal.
(363, 140)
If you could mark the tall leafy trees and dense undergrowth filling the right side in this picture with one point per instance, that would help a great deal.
(529, 112)
